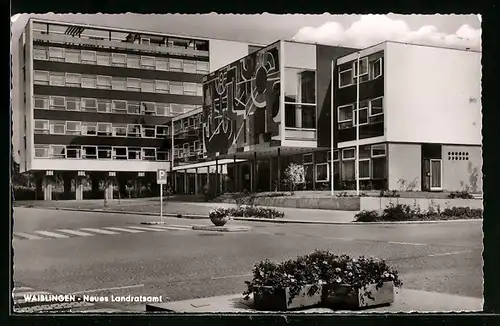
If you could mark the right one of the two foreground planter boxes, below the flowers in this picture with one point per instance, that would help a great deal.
(368, 296)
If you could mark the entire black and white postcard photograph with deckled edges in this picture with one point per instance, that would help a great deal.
(265, 163)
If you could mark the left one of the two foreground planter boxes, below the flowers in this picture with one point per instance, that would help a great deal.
(279, 300)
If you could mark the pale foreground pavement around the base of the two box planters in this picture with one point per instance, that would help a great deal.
(405, 301)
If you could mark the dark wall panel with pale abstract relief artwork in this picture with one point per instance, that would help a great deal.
(242, 97)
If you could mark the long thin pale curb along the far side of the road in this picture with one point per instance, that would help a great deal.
(282, 221)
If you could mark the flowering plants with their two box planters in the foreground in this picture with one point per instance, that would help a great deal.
(325, 278)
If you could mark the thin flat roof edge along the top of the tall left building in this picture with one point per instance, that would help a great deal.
(131, 30)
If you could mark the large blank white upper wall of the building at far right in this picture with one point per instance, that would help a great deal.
(432, 94)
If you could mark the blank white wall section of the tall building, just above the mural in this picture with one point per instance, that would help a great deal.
(223, 53)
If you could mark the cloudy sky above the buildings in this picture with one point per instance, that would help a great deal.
(458, 31)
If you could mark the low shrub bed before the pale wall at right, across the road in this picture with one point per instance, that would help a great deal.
(400, 212)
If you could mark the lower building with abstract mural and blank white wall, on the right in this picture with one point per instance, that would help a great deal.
(419, 117)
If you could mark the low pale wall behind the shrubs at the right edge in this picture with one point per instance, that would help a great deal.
(377, 203)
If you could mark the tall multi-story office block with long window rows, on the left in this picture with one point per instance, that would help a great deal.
(97, 103)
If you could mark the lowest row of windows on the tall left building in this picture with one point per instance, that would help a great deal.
(92, 152)
